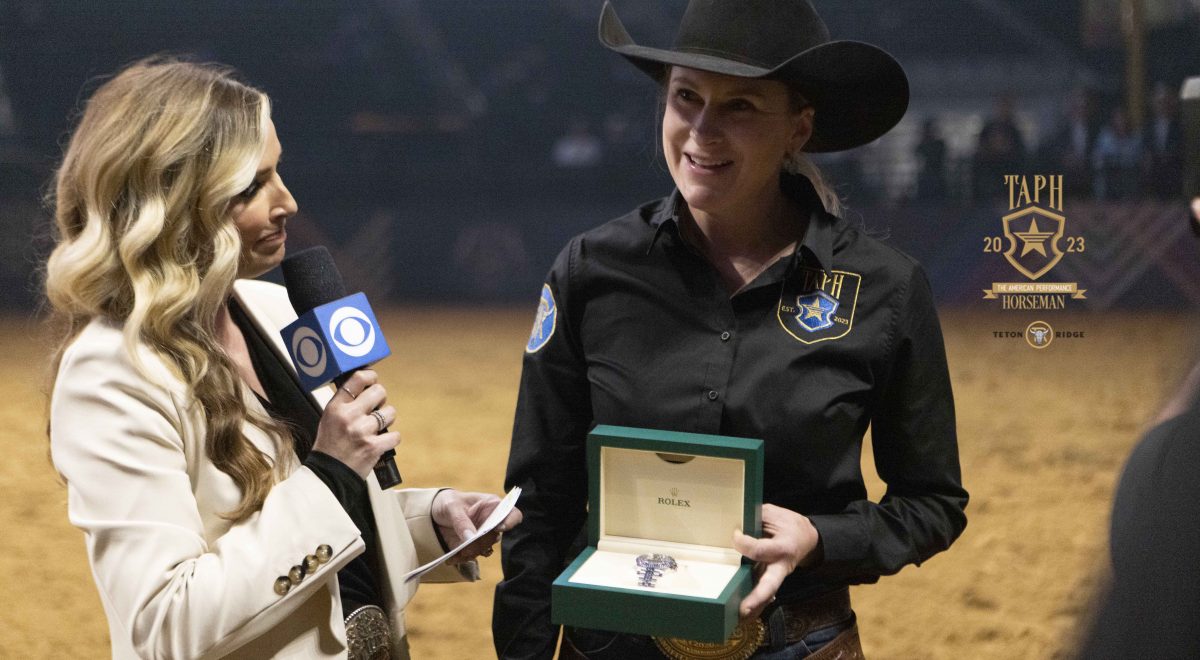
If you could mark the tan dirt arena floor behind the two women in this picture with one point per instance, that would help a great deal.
(1043, 436)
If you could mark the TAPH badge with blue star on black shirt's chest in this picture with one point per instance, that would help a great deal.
(818, 307)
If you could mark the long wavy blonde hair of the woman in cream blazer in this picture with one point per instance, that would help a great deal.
(143, 237)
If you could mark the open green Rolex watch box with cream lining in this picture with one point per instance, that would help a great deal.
(656, 494)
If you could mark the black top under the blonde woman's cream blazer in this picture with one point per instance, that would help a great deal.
(289, 404)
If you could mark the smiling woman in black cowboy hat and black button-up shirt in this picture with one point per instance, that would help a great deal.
(743, 305)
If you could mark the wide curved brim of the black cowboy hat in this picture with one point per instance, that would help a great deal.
(859, 91)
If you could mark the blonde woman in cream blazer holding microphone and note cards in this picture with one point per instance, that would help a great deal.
(226, 512)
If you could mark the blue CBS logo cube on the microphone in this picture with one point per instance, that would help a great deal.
(334, 339)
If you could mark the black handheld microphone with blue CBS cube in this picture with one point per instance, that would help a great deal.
(335, 334)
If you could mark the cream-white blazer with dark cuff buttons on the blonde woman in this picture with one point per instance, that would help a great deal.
(176, 578)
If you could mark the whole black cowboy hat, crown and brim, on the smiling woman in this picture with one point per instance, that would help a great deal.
(859, 91)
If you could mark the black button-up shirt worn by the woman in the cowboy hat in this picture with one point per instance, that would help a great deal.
(638, 329)
